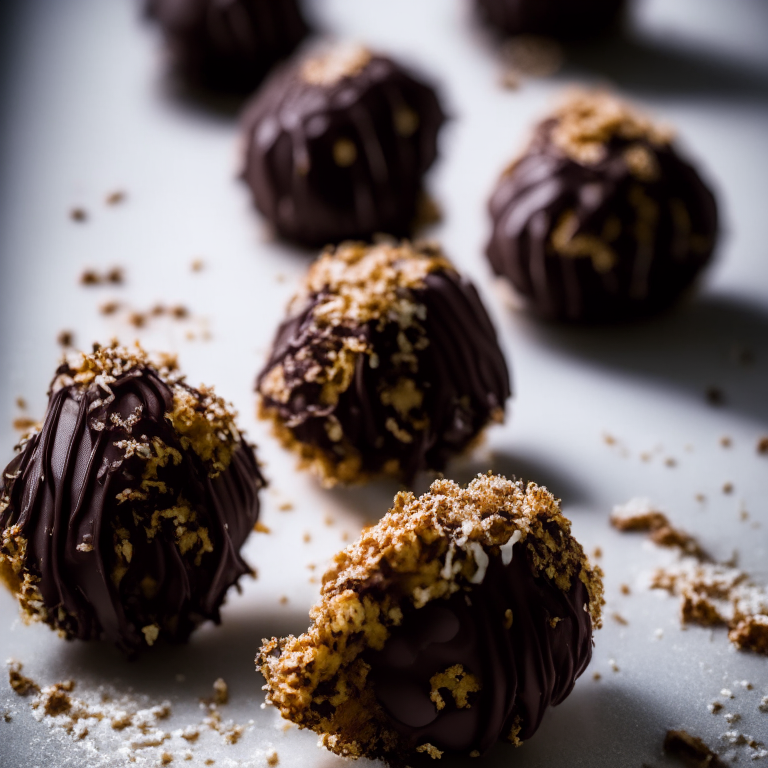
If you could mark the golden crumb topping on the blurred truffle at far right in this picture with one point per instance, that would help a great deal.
(588, 120)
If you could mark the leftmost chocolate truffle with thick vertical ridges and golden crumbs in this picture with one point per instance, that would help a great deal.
(122, 515)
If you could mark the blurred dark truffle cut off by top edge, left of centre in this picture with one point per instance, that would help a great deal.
(228, 45)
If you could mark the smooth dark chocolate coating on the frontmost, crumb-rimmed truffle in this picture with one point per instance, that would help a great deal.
(523, 669)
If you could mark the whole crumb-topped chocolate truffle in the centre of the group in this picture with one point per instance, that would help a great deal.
(387, 364)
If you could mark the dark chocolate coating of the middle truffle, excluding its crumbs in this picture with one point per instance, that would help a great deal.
(455, 373)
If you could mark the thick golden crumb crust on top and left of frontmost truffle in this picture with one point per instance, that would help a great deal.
(423, 549)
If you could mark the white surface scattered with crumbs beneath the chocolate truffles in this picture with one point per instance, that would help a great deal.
(86, 111)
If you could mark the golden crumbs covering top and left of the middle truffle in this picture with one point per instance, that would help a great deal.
(348, 287)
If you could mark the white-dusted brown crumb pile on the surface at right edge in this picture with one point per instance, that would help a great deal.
(711, 594)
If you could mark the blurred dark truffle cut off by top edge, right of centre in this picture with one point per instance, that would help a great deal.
(562, 19)
